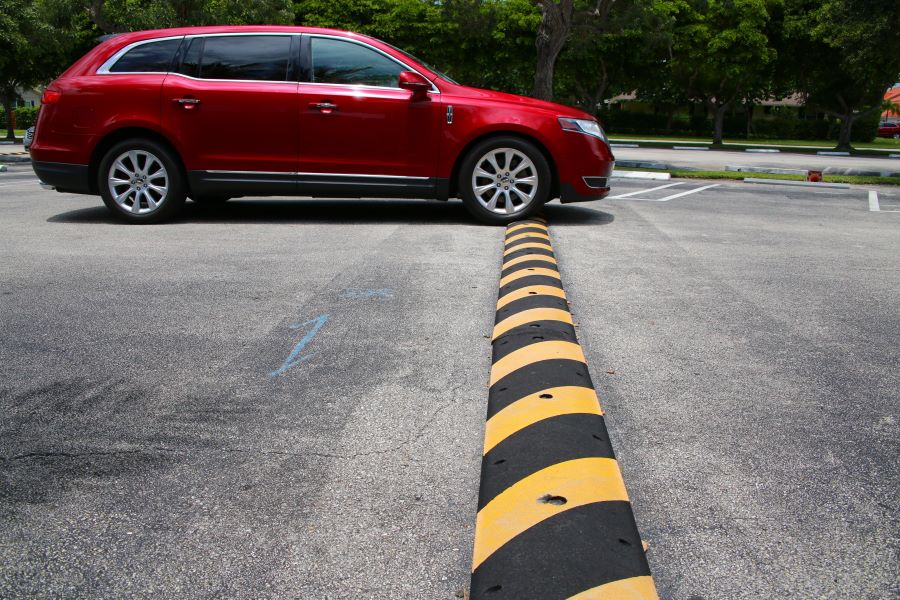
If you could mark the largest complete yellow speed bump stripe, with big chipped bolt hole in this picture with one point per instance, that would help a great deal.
(542, 495)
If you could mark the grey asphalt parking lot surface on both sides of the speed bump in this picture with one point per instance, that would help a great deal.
(286, 397)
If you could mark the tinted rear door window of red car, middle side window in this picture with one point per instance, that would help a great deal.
(259, 58)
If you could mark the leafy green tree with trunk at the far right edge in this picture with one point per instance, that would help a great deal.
(844, 55)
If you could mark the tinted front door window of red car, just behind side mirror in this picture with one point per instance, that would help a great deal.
(336, 61)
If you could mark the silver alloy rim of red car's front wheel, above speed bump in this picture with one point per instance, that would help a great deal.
(505, 181)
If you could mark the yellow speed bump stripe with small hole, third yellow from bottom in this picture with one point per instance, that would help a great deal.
(545, 404)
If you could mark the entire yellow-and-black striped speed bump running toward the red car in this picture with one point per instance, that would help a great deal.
(554, 519)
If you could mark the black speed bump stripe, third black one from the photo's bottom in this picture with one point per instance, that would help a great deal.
(534, 378)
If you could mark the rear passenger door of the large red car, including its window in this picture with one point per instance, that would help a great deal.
(232, 105)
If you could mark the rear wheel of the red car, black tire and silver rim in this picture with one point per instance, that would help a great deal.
(163, 206)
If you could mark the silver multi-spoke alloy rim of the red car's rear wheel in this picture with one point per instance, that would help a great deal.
(138, 182)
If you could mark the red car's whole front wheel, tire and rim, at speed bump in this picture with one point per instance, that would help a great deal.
(504, 179)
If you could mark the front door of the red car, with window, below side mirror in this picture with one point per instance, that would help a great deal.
(356, 120)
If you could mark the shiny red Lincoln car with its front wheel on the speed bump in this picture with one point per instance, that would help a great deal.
(147, 119)
